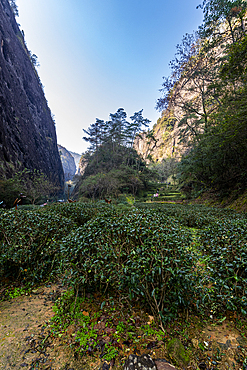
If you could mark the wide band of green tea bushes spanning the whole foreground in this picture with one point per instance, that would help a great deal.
(169, 258)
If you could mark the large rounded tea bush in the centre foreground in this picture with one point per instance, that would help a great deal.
(143, 254)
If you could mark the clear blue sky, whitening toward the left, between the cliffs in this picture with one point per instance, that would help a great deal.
(100, 55)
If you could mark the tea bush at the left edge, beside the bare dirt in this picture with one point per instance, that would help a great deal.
(29, 248)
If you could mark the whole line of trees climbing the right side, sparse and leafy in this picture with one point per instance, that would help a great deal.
(206, 93)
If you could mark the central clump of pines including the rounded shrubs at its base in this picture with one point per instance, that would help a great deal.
(113, 165)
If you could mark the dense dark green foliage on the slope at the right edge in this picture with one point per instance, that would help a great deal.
(219, 160)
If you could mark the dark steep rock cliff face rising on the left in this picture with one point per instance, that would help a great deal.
(27, 131)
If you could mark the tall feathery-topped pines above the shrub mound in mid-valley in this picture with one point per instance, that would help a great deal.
(112, 142)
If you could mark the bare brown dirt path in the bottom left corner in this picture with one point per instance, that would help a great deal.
(22, 331)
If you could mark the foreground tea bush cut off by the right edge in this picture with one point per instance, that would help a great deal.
(225, 242)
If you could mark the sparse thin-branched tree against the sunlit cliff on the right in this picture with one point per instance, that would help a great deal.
(187, 95)
